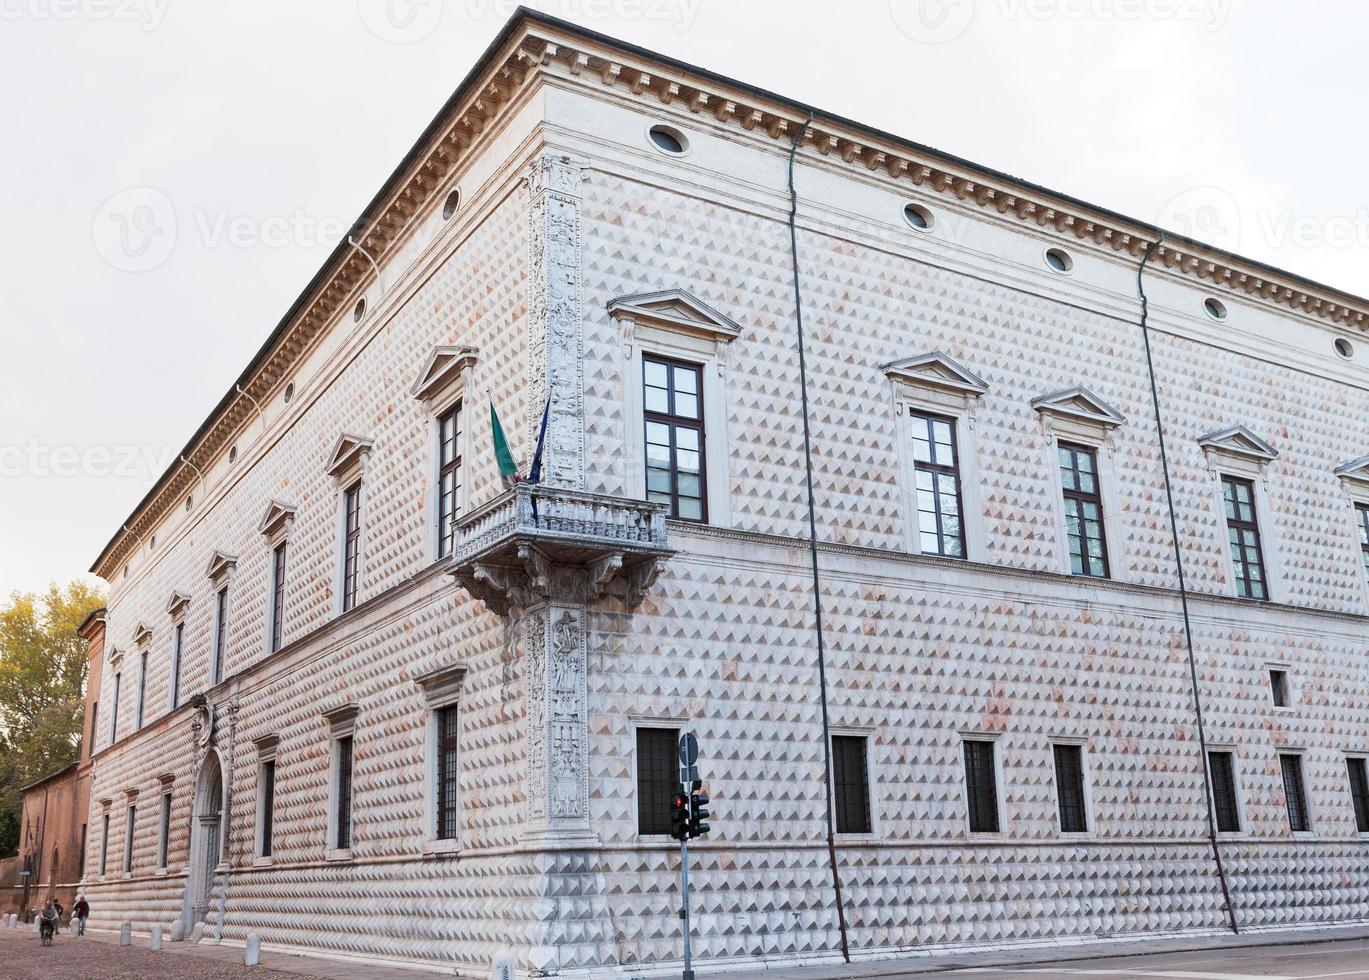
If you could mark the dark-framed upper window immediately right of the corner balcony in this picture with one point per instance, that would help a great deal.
(673, 400)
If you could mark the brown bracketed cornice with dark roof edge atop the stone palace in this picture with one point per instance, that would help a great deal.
(533, 46)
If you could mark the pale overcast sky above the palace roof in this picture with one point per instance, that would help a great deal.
(266, 125)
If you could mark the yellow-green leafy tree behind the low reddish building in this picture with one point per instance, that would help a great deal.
(43, 665)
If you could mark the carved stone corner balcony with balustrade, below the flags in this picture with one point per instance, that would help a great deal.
(537, 543)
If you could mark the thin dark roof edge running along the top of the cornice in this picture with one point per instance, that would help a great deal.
(525, 16)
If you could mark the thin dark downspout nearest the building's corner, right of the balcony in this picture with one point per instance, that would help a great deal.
(813, 543)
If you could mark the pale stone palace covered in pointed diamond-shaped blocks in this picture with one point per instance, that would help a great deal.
(365, 701)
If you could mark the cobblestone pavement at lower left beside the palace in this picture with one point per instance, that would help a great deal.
(23, 957)
